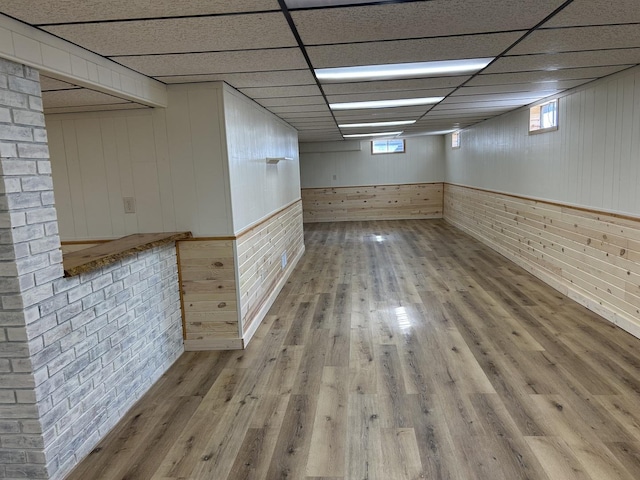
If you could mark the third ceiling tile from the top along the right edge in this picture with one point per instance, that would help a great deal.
(557, 61)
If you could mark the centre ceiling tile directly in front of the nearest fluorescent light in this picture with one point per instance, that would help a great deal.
(404, 51)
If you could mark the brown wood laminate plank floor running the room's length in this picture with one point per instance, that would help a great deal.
(397, 350)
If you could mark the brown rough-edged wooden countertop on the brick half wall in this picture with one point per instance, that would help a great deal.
(89, 259)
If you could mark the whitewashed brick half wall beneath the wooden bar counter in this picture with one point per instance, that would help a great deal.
(108, 344)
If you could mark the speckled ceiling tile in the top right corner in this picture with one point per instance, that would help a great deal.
(596, 12)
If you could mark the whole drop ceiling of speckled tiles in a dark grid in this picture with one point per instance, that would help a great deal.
(268, 49)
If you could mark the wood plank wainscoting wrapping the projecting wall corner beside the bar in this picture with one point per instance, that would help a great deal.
(229, 283)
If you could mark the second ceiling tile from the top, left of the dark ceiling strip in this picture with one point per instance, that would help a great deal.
(178, 35)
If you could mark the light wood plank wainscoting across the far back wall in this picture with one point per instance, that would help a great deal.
(374, 202)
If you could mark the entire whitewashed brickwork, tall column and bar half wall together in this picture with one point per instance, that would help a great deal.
(75, 353)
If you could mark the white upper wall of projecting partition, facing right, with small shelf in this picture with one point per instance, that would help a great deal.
(253, 134)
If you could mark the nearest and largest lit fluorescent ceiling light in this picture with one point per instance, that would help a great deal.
(401, 70)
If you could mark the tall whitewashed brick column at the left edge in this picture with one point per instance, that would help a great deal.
(30, 259)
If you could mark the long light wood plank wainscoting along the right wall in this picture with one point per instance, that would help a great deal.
(592, 257)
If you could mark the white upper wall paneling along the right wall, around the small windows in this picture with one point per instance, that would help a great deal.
(592, 160)
